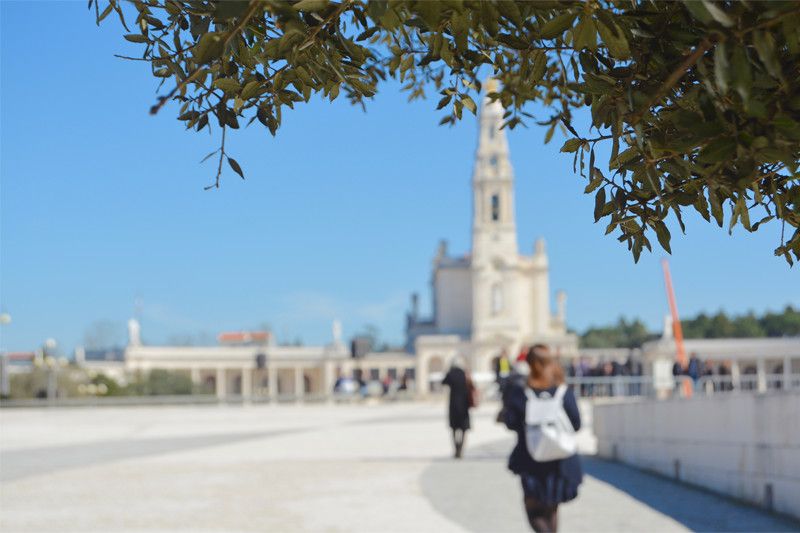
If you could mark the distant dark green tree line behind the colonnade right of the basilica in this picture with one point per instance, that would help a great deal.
(632, 333)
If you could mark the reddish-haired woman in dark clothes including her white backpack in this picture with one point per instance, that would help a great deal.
(544, 413)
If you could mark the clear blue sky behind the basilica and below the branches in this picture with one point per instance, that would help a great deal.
(339, 217)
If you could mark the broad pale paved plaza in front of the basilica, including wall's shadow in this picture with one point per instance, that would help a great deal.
(381, 467)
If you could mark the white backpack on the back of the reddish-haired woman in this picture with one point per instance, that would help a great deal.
(549, 434)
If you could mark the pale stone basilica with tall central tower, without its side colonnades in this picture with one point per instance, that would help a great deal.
(493, 298)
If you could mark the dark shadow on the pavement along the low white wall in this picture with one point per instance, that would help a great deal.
(695, 508)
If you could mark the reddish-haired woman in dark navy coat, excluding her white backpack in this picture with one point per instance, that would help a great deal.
(545, 485)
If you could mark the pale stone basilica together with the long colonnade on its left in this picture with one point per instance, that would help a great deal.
(483, 302)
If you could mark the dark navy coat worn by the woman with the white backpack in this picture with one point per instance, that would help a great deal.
(550, 482)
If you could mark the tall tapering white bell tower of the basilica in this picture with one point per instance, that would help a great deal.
(494, 235)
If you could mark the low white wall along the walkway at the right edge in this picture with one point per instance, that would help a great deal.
(736, 444)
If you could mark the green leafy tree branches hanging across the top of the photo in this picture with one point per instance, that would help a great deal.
(698, 100)
